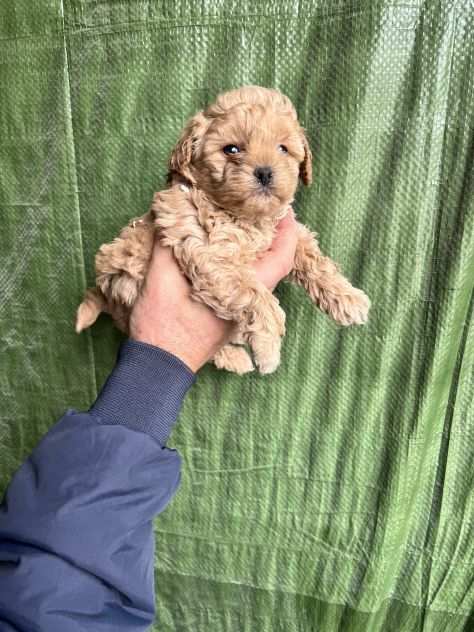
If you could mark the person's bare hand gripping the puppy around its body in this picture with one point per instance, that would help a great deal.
(166, 316)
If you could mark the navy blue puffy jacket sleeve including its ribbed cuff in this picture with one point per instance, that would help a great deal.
(76, 534)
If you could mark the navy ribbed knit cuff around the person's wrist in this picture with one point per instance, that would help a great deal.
(144, 391)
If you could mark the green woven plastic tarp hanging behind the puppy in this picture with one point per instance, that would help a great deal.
(336, 494)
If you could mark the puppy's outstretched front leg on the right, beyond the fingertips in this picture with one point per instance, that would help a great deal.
(327, 287)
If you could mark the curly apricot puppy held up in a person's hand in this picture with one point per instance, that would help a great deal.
(232, 176)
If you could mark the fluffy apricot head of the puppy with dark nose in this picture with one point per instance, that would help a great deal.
(246, 151)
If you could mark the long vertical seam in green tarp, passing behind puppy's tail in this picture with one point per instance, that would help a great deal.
(72, 164)
